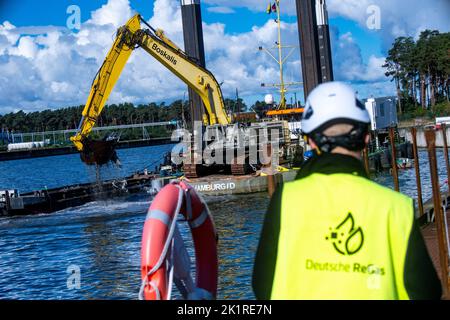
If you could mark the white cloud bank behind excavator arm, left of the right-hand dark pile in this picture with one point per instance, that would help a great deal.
(53, 67)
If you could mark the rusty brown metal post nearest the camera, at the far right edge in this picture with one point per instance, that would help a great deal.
(430, 136)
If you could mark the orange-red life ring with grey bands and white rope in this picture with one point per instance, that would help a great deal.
(174, 198)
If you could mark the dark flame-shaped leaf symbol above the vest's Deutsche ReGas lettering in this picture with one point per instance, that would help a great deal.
(346, 239)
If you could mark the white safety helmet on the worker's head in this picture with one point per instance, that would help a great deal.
(332, 103)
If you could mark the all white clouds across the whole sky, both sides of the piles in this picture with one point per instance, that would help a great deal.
(50, 66)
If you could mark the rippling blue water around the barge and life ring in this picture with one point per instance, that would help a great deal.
(103, 238)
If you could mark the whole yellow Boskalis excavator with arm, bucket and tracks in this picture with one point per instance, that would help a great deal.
(130, 37)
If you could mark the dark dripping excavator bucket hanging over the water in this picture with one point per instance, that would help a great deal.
(99, 152)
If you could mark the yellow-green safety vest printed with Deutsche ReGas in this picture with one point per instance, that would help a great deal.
(350, 245)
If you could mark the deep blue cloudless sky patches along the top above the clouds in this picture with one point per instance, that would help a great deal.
(49, 12)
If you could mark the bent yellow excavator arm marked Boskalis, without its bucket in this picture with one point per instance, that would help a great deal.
(154, 42)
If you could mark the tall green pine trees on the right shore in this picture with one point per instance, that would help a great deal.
(420, 70)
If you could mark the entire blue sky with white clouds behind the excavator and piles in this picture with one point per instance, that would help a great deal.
(35, 44)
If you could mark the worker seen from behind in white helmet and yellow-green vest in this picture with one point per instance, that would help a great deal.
(332, 233)
